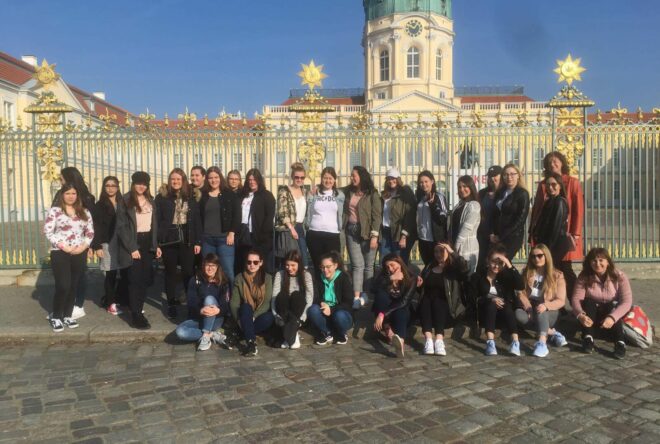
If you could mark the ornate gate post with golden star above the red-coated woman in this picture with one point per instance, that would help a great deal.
(569, 116)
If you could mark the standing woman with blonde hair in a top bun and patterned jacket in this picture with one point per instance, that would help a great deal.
(291, 212)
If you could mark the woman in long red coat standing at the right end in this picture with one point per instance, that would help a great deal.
(555, 162)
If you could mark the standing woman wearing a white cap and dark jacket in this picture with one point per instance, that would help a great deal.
(398, 225)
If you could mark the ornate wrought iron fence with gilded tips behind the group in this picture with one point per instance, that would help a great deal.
(618, 170)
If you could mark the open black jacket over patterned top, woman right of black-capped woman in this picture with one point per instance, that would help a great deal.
(165, 206)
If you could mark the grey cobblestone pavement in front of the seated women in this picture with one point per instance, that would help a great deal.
(171, 393)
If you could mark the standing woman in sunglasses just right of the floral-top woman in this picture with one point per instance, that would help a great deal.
(105, 242)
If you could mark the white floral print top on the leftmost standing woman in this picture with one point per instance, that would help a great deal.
(72, 231)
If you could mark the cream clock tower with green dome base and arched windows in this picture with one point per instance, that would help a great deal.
(408, 47)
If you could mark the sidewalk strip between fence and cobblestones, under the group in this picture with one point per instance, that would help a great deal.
(24, 310)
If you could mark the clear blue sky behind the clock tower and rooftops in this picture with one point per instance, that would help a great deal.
(242, 54)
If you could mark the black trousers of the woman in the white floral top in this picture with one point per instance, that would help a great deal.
(67, 270)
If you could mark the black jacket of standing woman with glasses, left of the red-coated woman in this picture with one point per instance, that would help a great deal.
(511, 219)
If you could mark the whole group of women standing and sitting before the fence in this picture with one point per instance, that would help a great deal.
(271, 263)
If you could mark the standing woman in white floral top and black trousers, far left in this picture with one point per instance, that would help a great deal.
(69, 230)
